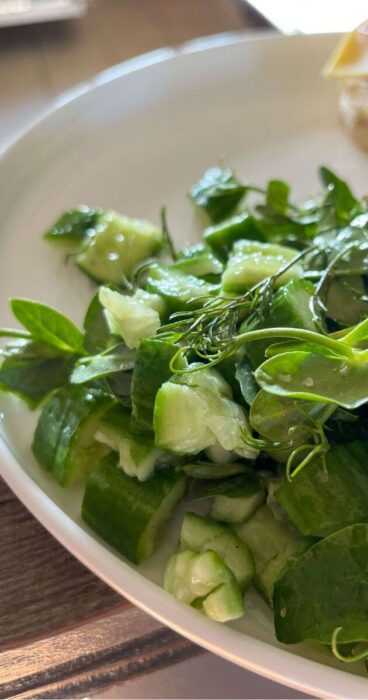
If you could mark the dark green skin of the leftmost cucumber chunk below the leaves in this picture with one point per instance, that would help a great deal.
(57, 431)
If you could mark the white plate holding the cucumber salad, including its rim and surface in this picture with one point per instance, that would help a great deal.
(133, 139)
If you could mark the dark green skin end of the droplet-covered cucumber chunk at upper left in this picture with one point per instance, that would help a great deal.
(72, 227)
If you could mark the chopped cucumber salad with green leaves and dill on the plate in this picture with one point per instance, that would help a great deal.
(234, 372)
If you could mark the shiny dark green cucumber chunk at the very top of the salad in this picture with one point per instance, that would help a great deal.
(218, 193)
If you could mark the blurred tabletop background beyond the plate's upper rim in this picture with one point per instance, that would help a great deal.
(46, 46)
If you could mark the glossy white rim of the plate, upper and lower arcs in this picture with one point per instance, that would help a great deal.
(240, 648)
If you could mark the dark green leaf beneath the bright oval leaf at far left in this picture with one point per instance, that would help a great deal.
(31, 371)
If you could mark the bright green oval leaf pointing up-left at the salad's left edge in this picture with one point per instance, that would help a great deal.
(48, 325)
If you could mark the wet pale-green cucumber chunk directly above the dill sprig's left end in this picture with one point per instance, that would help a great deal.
(179, 291)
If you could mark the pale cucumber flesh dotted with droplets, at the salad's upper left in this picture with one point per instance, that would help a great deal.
(116, 245)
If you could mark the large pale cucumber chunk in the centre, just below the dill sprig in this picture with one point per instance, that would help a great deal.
(196, 412)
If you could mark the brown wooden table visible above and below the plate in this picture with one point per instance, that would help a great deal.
(64, 633)
